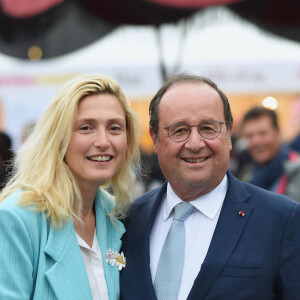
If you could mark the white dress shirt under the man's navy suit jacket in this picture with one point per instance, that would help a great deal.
(199, 226)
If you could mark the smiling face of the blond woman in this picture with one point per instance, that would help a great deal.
(98, 142)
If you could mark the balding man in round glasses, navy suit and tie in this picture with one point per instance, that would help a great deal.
(238, 242)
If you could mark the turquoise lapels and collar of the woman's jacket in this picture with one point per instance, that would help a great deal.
(68, 269)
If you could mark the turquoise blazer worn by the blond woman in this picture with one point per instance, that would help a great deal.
(38, 261)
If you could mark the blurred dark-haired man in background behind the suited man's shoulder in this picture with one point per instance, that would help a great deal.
(274, 166)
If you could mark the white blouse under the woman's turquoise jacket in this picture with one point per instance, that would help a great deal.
(94, 268)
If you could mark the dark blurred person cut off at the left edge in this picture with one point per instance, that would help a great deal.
(6, 155)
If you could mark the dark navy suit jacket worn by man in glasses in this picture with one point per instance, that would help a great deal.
(255, 256)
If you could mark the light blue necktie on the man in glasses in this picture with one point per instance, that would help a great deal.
(170, 265)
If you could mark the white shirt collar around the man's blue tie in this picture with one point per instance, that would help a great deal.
(209, 204)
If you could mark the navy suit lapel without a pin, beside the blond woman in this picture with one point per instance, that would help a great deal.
(141, 252)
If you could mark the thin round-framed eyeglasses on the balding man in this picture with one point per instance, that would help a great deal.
(180, 132)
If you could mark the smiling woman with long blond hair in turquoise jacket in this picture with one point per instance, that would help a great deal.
(60, 234)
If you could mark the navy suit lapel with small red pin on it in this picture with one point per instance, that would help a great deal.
(229, 229)
